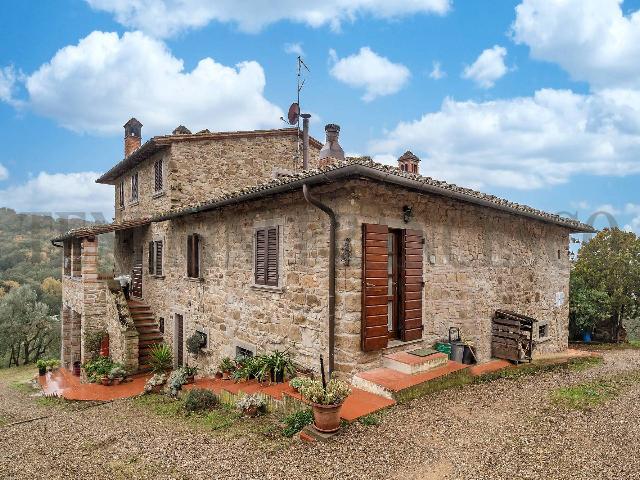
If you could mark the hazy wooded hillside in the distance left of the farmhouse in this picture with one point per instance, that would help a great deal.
(26, 253)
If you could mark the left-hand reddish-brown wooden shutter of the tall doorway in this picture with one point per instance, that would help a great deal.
(375, 287)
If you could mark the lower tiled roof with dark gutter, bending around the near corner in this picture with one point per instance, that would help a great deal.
(361, 167)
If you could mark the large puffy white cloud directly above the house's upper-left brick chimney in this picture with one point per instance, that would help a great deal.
(96, 85)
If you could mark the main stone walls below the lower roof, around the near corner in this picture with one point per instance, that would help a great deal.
(476, 261)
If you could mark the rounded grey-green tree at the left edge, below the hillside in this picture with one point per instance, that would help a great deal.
(27, 331)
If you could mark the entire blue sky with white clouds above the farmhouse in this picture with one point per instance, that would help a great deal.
(534, 100)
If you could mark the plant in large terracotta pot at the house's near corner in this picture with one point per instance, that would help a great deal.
(326, 402)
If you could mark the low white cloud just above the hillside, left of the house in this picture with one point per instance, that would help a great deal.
(60, 193)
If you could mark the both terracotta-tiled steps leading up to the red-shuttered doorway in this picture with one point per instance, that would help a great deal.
(403, 371)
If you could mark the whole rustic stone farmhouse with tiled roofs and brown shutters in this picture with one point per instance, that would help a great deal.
(266, 239)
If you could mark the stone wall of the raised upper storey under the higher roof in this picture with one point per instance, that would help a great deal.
(196, 170)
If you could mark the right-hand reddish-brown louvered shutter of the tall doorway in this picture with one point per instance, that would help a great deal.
(411, 285)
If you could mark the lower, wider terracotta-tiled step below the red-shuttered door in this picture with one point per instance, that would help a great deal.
(387, 382)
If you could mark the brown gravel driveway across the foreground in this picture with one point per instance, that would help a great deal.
(503, 429)
